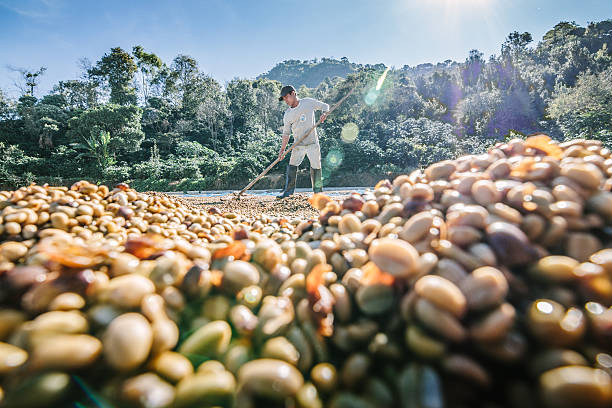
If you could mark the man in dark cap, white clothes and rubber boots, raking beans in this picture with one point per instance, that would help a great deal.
(299, 118)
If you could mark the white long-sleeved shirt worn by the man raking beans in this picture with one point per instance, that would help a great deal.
(301, 119)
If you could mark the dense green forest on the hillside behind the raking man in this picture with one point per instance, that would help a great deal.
(168, 126)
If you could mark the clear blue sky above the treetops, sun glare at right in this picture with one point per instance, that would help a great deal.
(247, 37)
